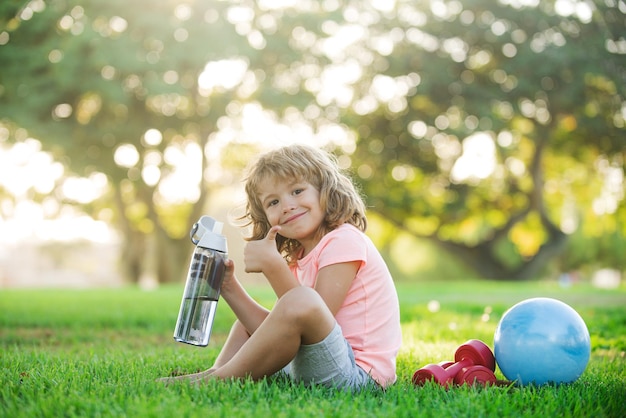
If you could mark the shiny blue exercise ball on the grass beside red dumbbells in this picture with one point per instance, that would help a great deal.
(542, 340)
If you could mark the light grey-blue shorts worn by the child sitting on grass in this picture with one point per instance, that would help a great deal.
(330, 363)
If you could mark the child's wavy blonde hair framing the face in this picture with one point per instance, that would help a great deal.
(339, 198)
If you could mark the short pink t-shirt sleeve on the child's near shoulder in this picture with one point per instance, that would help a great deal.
(343, 245)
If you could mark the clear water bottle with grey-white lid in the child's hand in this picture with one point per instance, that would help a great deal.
(202, 288)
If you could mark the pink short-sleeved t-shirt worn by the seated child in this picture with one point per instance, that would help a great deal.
(370, 314)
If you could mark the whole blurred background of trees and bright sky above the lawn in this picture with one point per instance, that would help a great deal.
(489, 136)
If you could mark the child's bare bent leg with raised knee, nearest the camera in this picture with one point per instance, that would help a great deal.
(299, 317)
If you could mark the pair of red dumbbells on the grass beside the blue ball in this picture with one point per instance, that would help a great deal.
(474, 363)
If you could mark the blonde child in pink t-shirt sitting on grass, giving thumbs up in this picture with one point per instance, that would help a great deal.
(336, 321)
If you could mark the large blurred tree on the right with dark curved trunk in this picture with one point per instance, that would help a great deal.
(493, 128)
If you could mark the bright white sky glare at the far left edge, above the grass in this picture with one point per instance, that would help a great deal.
(25, 169)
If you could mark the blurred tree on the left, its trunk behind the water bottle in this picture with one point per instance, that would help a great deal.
(117, 88)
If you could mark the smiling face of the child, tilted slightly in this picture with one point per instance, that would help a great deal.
(295, 206)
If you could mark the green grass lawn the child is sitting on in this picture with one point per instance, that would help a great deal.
(92, 353)
